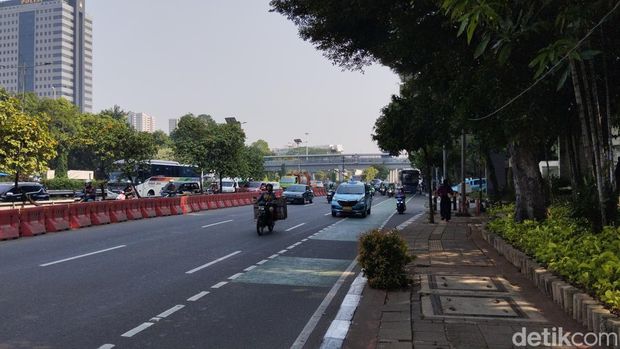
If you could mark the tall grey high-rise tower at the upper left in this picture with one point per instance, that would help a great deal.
(46, 47)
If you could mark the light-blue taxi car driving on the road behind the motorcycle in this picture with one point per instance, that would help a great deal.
(353, 197)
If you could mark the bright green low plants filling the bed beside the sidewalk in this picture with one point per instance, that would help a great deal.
(569, 247)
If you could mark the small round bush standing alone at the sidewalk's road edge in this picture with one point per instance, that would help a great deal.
(383, 257)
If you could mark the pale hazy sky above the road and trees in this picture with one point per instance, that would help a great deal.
(231, 58)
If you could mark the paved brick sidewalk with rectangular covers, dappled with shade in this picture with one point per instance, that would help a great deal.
(464, 296)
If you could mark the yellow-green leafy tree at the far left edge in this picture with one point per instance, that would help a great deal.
(26, 144)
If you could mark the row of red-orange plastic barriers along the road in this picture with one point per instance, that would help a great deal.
(16, 223)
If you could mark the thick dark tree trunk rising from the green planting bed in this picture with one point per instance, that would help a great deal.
(530, 200)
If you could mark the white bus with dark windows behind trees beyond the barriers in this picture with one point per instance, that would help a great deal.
(154, 177)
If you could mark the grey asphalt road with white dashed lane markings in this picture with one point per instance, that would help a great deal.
(203, 280)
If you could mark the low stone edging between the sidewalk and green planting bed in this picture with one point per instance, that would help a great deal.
(575, 303)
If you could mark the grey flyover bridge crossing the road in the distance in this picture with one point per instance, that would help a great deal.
(326, 162)
